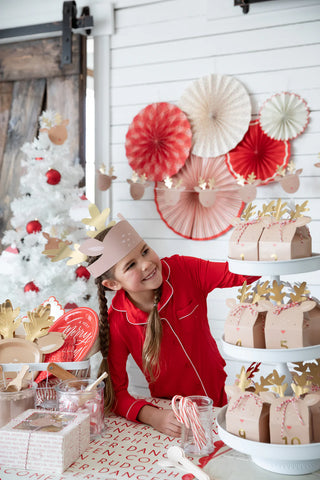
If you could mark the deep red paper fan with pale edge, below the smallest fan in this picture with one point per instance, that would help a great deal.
(259, 154)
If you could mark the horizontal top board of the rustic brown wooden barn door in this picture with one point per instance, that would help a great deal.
(38, 59)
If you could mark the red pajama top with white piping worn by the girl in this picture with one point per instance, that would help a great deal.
(190, 363)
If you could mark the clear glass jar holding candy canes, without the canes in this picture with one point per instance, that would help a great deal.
(189, 444)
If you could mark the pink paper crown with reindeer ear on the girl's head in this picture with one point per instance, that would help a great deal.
(119, 241)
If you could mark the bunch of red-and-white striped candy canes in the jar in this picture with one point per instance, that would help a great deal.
(187, 413)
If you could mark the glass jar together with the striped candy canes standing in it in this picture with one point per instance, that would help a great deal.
(196, 415)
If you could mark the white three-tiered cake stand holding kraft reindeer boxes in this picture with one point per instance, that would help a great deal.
(286, 459)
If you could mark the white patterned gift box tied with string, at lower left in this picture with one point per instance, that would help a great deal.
(44, 441)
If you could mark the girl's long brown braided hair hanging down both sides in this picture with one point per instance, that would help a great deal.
(152, 343)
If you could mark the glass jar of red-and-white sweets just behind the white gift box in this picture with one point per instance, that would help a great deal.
(72, 397)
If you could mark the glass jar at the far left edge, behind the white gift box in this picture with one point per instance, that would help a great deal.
(14, 403)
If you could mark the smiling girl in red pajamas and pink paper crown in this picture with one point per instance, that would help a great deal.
(159, 316)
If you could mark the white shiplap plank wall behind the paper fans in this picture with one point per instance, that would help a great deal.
(159, 47)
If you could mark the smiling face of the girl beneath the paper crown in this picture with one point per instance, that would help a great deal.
(137, 272)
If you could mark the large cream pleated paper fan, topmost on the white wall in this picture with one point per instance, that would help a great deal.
(219, 110)
